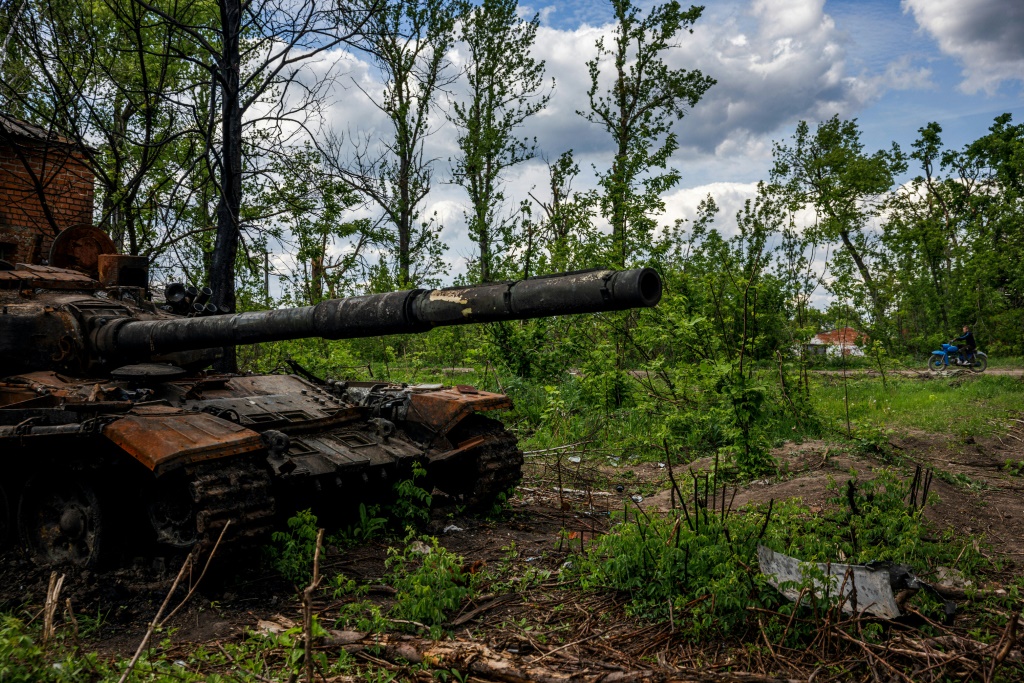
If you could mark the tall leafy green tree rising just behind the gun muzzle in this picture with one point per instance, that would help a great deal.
(647, 98)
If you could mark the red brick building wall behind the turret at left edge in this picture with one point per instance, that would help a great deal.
(26, 233)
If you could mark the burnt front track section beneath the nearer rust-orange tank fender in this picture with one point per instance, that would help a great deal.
(238, 490)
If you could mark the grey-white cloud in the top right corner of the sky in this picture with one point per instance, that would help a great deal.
(988, 37)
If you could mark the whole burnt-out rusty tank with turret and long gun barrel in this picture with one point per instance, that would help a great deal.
(113, 433)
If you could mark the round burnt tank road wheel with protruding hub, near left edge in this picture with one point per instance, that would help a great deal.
(61, 522)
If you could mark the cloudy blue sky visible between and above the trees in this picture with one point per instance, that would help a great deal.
(892, 65)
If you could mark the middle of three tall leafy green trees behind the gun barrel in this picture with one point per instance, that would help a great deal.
(504, 83)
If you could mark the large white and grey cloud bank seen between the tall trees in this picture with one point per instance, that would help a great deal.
(776, 63)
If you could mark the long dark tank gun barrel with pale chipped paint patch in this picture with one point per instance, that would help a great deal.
(393, 313)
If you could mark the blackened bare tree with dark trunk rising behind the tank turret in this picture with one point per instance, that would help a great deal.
(253, 53)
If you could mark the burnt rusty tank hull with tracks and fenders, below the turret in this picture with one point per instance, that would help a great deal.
(91, 479)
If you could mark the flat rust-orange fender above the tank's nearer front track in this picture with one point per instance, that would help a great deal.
(164, 443)
